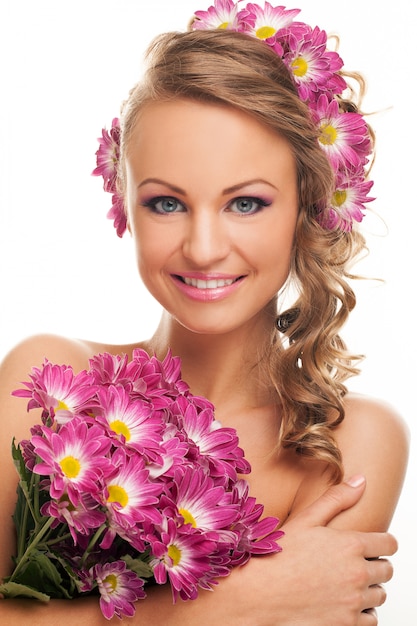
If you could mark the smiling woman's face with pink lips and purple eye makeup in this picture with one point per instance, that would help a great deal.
(212, 207)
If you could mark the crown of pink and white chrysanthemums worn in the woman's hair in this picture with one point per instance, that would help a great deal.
(343, 135)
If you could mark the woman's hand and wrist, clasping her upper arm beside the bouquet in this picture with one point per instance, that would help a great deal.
(323, 576)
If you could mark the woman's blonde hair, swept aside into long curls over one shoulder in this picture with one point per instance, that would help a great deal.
(307, 362)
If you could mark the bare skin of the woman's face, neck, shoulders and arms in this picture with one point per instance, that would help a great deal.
(212, 197)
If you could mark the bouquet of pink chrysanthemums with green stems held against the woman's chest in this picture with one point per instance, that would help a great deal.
(128, 480)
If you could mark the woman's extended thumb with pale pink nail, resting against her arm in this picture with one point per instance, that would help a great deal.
(336, 499)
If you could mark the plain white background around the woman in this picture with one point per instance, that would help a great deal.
(65, 67)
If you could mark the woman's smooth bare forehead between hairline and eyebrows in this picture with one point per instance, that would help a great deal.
(205, 137)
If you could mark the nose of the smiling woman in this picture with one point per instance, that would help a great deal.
(206, 240)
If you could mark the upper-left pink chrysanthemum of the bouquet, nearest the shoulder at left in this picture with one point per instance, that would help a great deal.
(57, 390)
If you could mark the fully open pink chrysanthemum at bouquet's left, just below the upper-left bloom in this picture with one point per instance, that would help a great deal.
(74, 458)
